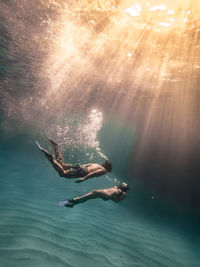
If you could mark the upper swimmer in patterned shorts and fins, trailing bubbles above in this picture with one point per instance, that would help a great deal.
(66, 170)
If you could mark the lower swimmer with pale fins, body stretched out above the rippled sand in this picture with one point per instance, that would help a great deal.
(116, 194)
